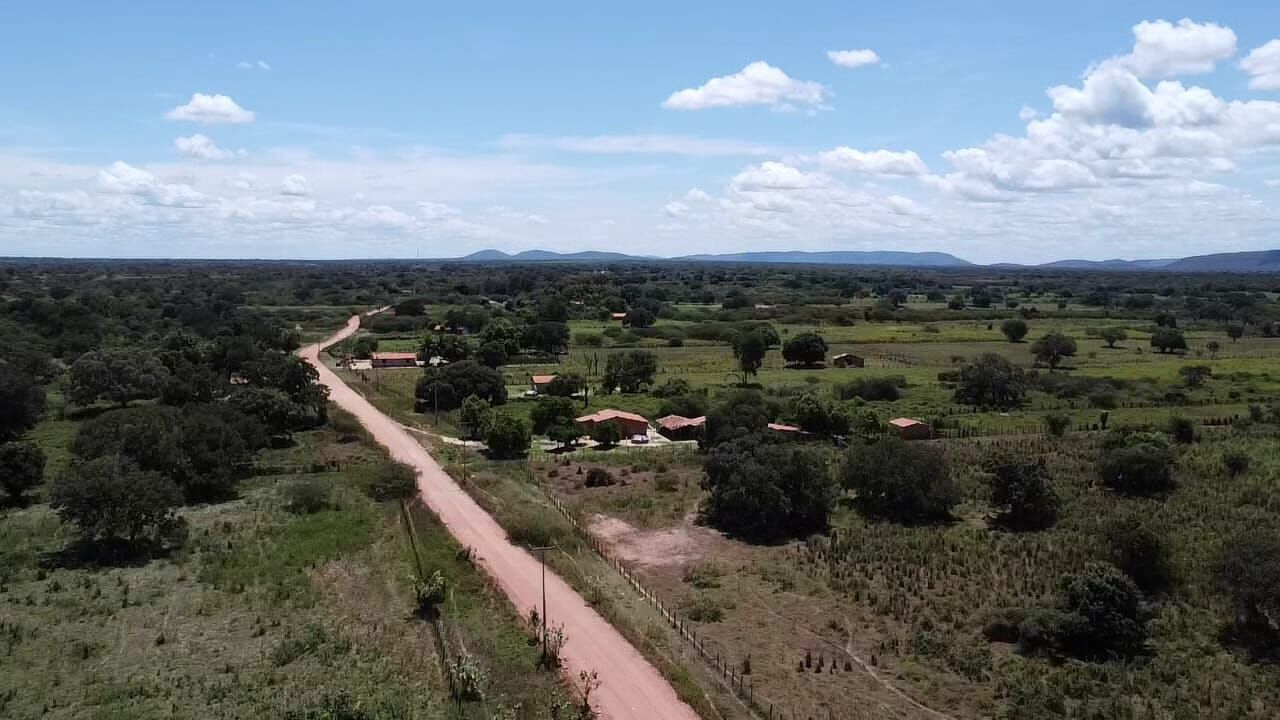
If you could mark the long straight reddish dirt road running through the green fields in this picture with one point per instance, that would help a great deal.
(632, 689)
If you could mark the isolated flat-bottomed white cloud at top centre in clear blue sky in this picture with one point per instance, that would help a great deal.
(758, 84)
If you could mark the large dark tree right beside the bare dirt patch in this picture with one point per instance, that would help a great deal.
(764, 490)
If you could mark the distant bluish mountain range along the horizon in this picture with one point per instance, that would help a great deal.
(1258, 262)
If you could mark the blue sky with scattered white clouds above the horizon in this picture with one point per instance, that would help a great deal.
(995, 131)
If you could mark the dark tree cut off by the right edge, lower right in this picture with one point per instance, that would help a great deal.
(1249, 571)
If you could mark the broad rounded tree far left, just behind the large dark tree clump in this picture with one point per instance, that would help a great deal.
(118, 376)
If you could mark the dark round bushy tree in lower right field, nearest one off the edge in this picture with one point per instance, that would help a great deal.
(1104, 613)
